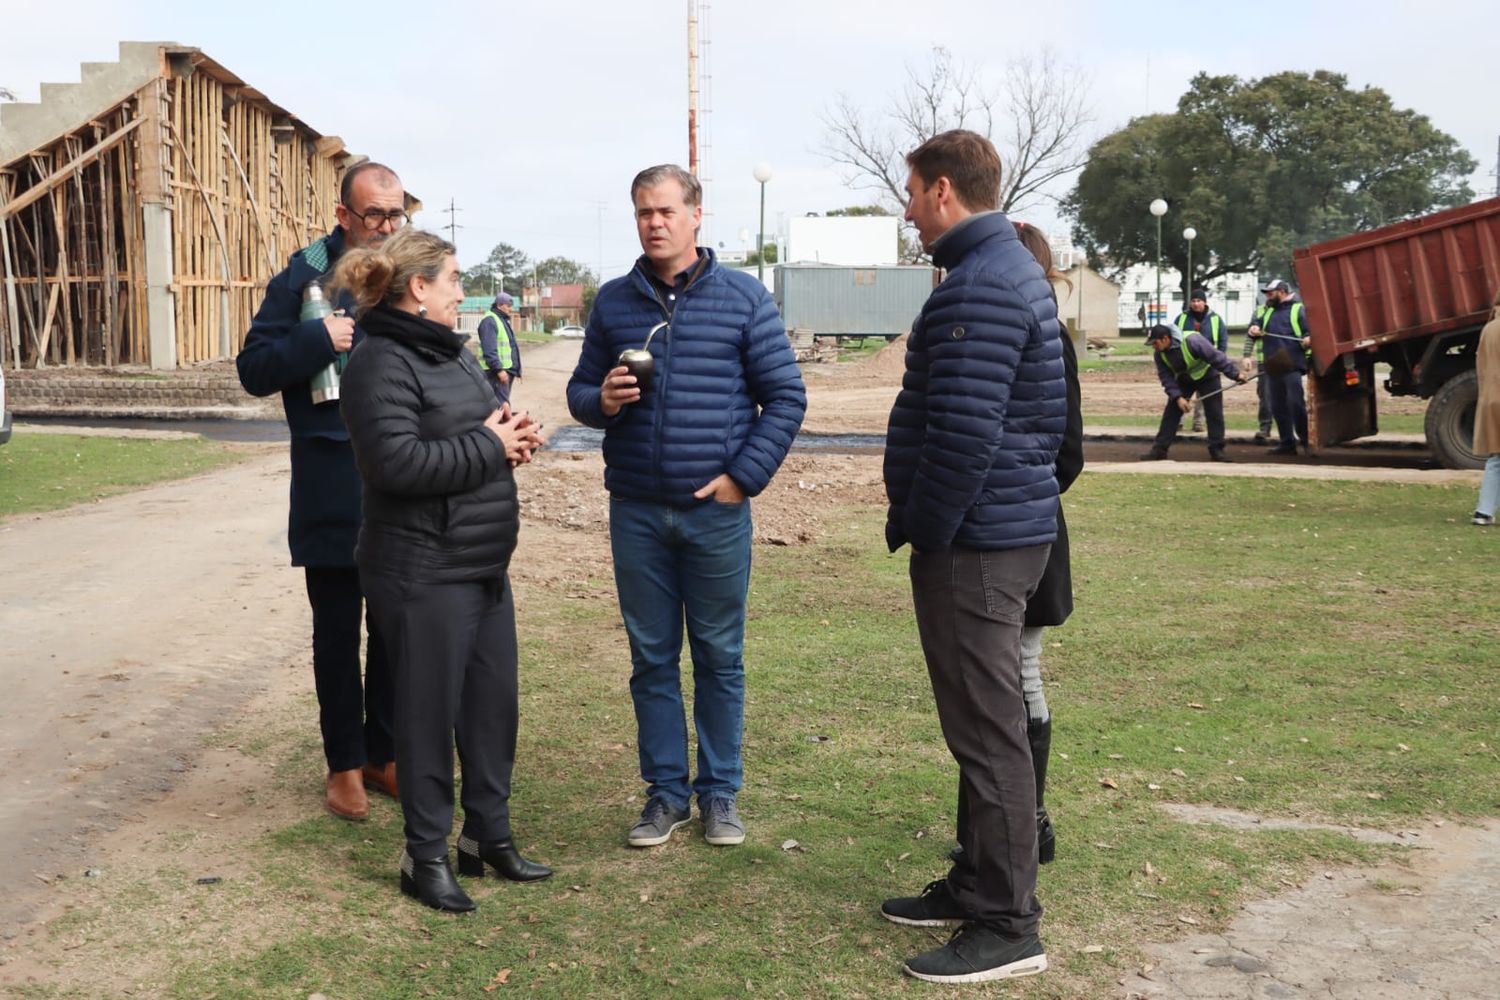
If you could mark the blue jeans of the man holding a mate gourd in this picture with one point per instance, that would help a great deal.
(674, 566)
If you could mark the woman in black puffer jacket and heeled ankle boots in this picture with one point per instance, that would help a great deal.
(440, 524)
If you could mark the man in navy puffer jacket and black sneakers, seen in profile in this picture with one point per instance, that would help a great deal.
(970, 472)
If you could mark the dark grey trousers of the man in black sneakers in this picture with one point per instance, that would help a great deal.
(970, 612)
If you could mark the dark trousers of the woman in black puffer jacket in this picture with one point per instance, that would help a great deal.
(454, 657)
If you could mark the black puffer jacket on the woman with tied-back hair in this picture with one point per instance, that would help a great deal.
(440, 500)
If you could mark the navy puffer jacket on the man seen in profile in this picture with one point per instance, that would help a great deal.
(974, 436)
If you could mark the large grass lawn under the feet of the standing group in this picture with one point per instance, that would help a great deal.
(1339, 669)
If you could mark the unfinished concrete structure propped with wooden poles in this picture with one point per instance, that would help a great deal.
(145, 209)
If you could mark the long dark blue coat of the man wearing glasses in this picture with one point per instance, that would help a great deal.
(281, 355)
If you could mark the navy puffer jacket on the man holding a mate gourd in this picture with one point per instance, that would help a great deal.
(728, 395)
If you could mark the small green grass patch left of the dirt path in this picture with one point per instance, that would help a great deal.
(46, 472)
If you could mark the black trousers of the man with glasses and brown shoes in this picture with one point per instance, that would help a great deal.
(356, 719)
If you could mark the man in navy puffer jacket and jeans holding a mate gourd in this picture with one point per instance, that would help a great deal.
(682, 457)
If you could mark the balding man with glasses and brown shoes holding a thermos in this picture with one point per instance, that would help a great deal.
(283, 355)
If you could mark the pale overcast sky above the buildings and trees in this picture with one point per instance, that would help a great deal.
(535, 118)
